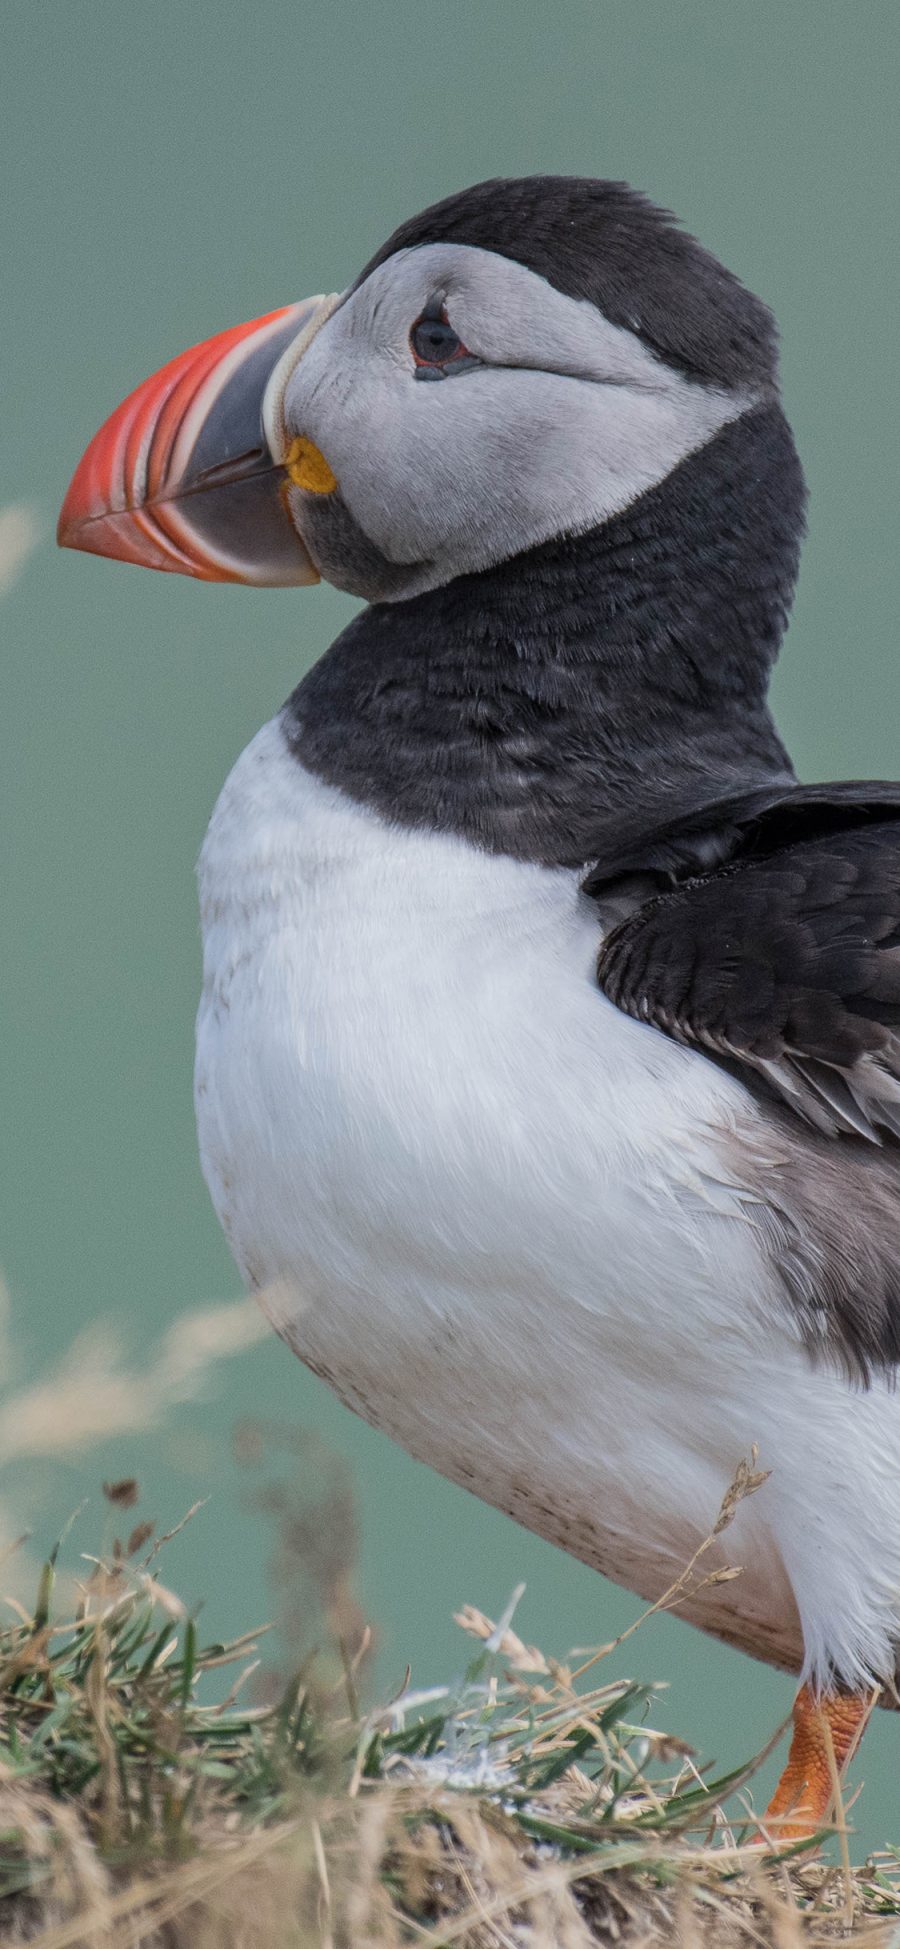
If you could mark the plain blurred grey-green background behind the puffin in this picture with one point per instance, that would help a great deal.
(170, 171)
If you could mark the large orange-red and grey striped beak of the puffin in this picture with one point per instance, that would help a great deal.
(190, 473)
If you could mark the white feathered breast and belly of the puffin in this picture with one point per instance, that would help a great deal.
(486, 1205)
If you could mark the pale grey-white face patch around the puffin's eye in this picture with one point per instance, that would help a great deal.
(562, 424)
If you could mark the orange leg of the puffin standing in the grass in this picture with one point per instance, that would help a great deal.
(806, 1790)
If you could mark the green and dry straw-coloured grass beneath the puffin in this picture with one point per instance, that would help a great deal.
(145, 1800)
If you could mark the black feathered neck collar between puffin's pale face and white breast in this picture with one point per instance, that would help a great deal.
(589, 689)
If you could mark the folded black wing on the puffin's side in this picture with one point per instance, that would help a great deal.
(784, 958)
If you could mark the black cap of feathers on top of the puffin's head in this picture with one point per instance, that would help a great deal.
(619, 250)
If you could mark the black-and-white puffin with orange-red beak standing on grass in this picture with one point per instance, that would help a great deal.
(548, 1055)
